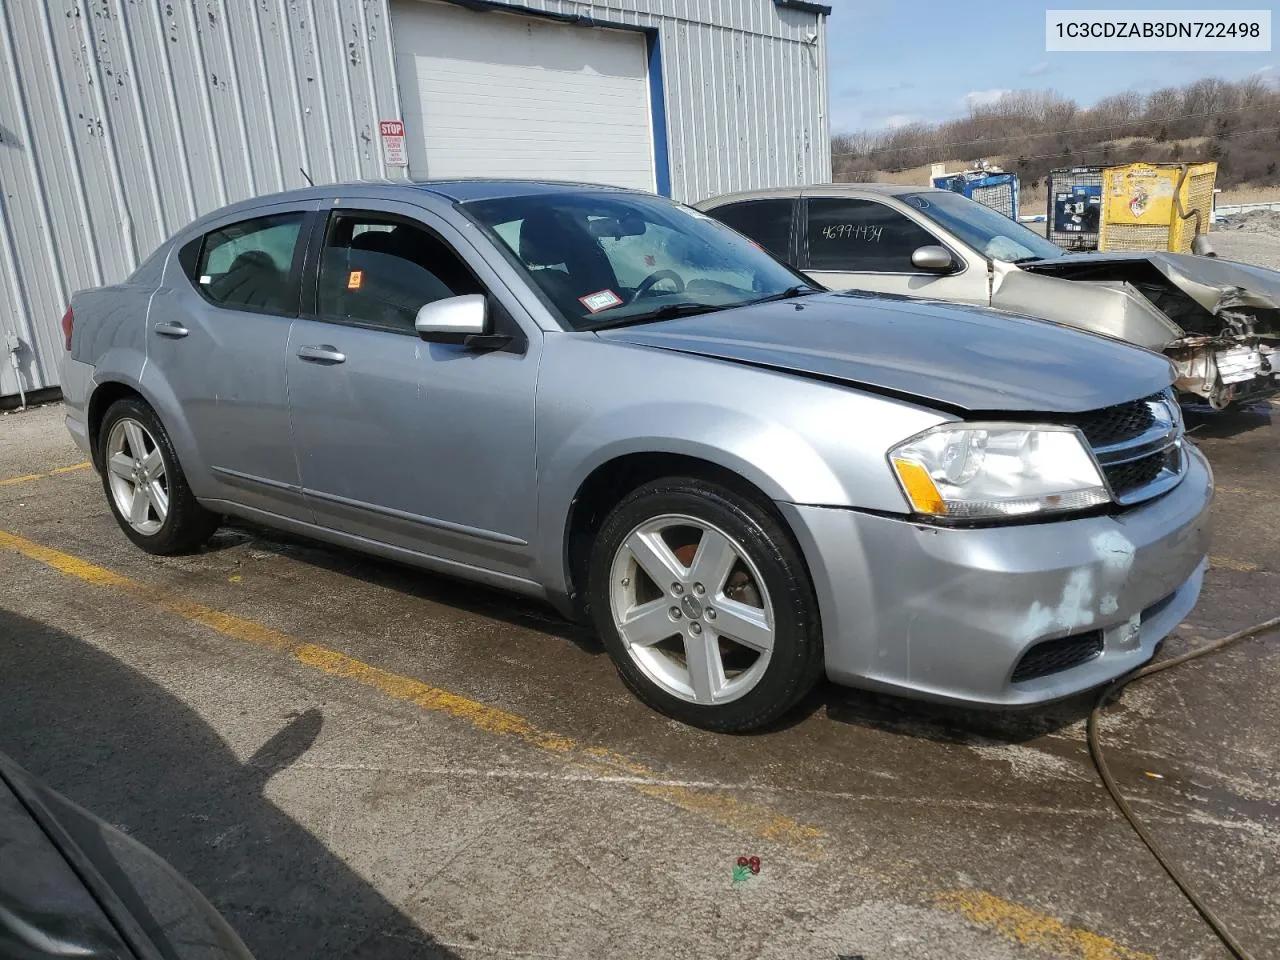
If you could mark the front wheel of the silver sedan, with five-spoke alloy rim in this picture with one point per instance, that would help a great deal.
(756, 616)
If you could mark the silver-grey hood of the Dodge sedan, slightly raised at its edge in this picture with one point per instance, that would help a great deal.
(947, 355)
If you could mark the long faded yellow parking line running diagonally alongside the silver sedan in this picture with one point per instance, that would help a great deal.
(726, 811)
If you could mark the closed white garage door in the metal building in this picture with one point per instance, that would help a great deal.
(500, 95)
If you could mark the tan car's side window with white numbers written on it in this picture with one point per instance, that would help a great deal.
(862, 236)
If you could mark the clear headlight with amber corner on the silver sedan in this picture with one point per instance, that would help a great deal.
(971, 472)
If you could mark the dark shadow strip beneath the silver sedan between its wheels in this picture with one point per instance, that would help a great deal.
(414, 582)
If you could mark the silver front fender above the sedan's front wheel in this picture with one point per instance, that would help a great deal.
(788, 436)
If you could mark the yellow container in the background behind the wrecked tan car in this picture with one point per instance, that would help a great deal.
(1156, 207)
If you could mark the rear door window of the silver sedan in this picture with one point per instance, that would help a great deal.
(248, 266)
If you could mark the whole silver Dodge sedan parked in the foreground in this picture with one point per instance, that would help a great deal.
(612, 403)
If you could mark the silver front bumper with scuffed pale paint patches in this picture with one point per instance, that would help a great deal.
(948, 614)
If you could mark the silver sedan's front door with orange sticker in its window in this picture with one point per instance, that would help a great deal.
(423, 446)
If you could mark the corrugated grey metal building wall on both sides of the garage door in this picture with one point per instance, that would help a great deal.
(121, 121)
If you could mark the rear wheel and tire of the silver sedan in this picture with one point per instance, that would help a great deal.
(170, 520)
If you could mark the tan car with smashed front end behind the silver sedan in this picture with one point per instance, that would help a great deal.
(1219, 322)
